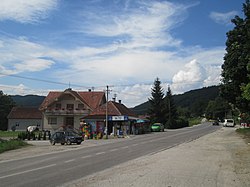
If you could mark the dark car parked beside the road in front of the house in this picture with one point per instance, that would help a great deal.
(67, 137)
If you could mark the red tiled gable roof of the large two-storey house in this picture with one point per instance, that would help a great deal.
(92, 99)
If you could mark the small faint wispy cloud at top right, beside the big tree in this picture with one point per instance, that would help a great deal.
(222, 18)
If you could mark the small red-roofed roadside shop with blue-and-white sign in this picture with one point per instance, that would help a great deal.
(120, 119)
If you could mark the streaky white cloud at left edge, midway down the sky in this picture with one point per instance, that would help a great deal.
(20, 55)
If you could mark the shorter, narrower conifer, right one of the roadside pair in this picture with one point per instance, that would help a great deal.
(171, 110)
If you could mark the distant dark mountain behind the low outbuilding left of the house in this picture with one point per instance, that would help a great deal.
(28, 100)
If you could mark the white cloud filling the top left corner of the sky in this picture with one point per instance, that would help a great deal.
(26, 11)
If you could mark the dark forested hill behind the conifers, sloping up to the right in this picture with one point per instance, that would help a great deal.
(192, 100)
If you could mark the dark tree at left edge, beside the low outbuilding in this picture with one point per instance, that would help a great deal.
(6, 104)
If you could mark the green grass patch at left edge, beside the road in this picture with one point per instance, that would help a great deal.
(6, 145)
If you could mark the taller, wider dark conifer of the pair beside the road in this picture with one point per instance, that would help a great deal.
(157, 106)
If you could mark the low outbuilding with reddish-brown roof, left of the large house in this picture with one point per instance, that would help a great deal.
(20, 118)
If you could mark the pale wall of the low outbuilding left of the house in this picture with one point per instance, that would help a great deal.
(22, 124)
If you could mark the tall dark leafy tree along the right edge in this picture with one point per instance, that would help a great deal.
(235, 78)
